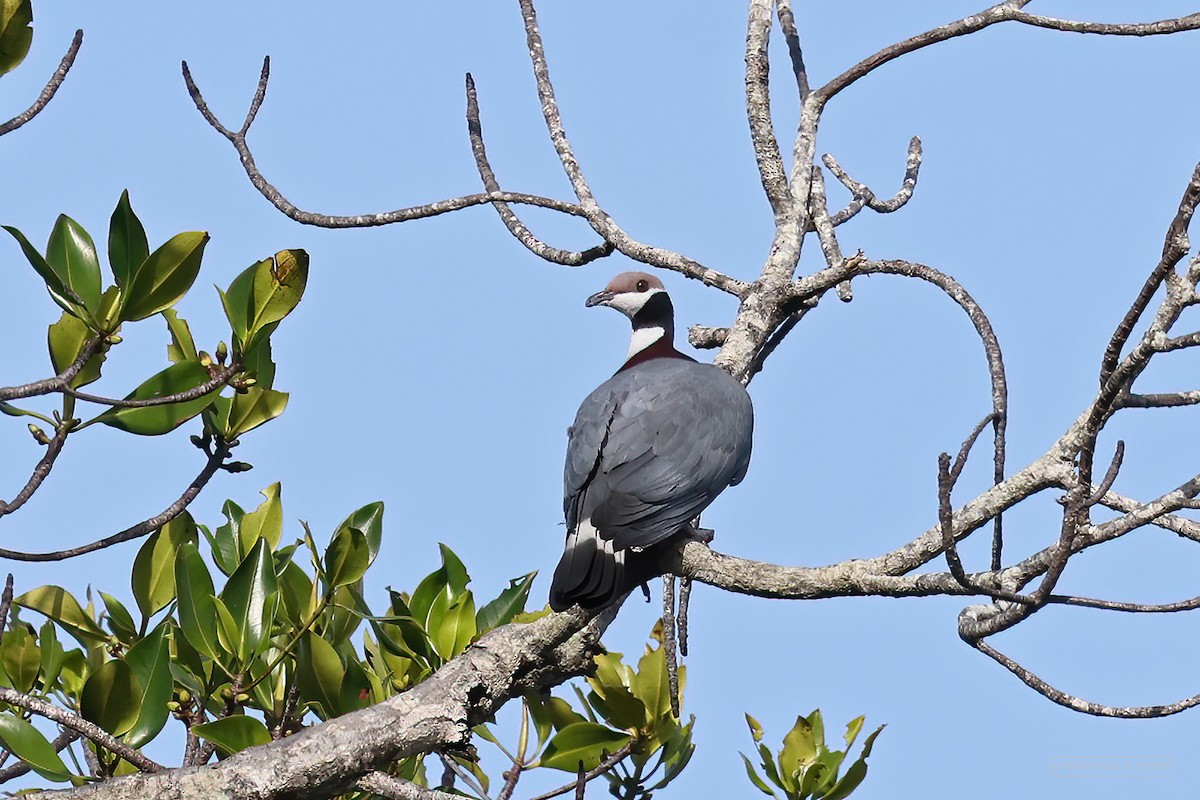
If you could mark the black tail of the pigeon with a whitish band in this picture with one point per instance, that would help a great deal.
(591, 573)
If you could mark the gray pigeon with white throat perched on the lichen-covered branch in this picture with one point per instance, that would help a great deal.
(650, 449)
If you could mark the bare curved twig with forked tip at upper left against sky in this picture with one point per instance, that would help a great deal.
(238, 139)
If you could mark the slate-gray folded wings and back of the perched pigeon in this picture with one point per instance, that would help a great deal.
(653, 447)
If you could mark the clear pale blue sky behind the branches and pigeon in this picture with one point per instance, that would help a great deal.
(436, 365)
